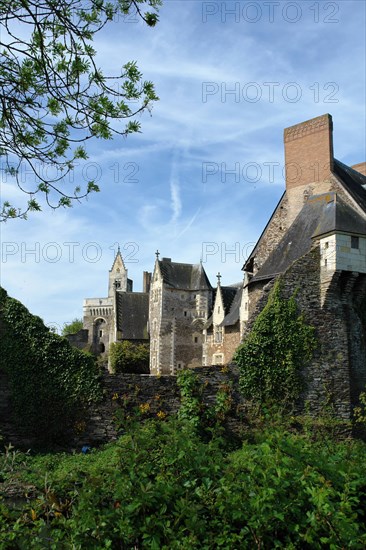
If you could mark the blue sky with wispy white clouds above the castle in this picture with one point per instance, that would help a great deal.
(206, 172)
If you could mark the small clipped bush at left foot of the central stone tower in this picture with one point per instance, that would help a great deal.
(128, 357)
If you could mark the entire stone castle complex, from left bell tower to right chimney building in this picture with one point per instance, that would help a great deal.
(315, 241)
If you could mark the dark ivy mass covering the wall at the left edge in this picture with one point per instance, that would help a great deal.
(50, 380)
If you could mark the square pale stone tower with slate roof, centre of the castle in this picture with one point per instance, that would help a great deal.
(180, 304)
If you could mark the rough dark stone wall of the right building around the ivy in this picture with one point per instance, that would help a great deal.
(337, 372)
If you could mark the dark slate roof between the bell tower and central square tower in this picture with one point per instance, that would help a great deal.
(132, 315)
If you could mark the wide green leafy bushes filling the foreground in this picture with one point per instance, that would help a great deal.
(161, 487)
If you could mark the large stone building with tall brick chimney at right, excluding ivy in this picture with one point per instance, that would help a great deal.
(316, 242)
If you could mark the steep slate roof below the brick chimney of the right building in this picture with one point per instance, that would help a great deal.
(320, 215)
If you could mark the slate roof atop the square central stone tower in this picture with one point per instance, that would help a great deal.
(184, 276)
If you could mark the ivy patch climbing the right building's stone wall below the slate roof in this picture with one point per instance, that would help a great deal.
(273, 355)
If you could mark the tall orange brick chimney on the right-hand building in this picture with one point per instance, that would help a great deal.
(309, 152)
